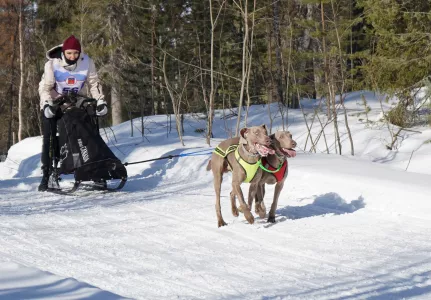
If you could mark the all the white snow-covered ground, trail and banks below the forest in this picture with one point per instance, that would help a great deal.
(347, 227)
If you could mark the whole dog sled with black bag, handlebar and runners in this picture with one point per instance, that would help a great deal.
(81, 149)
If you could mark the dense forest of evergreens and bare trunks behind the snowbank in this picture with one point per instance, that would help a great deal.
(192, 57)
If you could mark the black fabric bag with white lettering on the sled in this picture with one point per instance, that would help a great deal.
(83, 152)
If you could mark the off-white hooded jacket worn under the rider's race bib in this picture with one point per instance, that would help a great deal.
(47, 90)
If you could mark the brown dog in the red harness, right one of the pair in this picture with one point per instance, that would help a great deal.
(283, 145)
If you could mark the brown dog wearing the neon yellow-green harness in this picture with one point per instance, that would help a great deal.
(252, 145)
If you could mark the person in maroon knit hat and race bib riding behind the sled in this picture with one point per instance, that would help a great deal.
(68, 70)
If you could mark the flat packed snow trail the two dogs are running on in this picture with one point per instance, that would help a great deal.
(339, 235)
